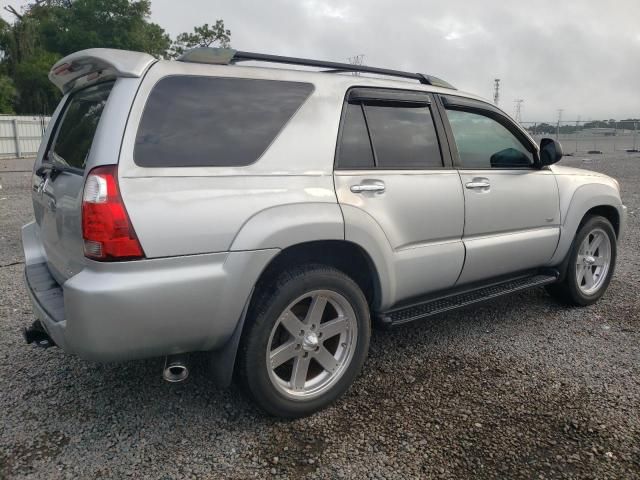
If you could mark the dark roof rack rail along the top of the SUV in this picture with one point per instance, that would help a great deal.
(226, 56)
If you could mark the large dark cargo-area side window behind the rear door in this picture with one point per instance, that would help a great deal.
(193, 121)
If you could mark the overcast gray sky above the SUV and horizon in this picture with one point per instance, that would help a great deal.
(582, 56)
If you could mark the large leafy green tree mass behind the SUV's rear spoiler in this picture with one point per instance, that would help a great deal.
(47, 30)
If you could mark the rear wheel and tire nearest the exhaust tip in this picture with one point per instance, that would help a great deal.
(291, 318)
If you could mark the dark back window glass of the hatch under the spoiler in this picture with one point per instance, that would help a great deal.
(78, 126)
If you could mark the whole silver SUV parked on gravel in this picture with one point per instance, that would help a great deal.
(268, 216)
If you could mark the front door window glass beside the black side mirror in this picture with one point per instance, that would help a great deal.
(484, 143)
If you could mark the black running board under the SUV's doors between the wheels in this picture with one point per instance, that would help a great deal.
(445, 303)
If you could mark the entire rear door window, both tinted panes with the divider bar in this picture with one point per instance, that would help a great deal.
(388, 135)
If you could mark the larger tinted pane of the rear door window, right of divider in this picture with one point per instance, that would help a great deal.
(403, 137)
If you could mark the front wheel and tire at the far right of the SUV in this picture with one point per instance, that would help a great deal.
(579, 288)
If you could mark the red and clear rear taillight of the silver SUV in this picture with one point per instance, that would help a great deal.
(107, 231)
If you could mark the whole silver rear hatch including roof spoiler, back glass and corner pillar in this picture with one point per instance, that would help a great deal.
(86, 132)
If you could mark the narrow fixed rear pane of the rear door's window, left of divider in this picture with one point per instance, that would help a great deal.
(355, 148)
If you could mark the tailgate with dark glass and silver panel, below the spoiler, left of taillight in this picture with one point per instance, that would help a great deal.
(59, 180)
